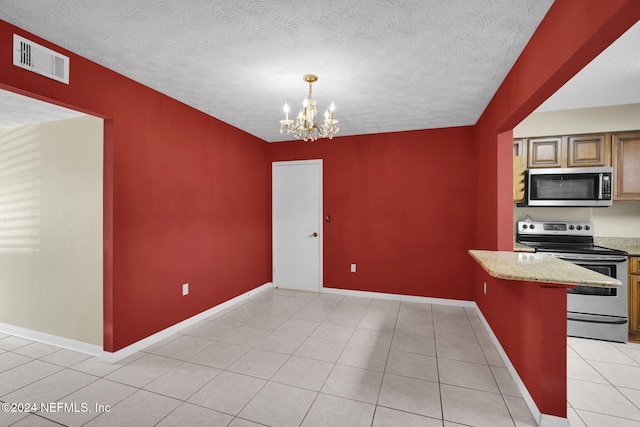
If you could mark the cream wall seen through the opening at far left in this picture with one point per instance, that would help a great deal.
(51, 228)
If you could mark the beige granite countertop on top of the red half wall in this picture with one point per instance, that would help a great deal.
(535, 267)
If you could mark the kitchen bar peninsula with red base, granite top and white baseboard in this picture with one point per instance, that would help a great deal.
(523, 299)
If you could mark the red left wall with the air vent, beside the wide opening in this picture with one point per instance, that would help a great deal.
(187, 197)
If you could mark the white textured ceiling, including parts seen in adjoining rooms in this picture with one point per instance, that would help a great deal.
(389, 65)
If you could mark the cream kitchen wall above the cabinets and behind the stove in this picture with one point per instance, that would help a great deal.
(620, 220)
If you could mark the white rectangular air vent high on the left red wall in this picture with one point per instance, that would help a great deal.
(34, 57)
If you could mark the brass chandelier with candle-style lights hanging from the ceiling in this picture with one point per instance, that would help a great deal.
(304, 127)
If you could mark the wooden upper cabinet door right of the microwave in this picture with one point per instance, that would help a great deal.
(626, 166)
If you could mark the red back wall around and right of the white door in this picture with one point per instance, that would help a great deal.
(400, 209)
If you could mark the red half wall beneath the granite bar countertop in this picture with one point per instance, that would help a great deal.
(529, 319)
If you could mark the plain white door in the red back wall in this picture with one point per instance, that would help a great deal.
(297, 224)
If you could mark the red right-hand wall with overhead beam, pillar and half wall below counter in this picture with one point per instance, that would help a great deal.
(571, 35)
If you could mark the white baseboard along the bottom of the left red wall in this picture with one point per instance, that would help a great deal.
(165, 333)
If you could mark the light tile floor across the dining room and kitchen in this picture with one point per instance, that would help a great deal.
(287, 358)
